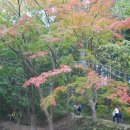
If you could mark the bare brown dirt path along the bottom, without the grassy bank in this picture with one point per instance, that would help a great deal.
(60, 125)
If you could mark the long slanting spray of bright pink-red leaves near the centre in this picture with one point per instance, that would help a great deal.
(42, 78)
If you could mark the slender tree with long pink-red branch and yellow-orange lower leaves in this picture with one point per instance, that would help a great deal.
(37, 81)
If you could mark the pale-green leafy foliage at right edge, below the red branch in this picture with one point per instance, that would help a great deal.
(115, 56)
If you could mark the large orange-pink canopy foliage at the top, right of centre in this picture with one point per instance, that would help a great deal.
(90, 14)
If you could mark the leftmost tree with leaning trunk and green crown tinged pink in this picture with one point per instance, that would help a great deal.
(22, 38)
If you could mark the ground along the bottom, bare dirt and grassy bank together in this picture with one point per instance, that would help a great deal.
(71, 122)
